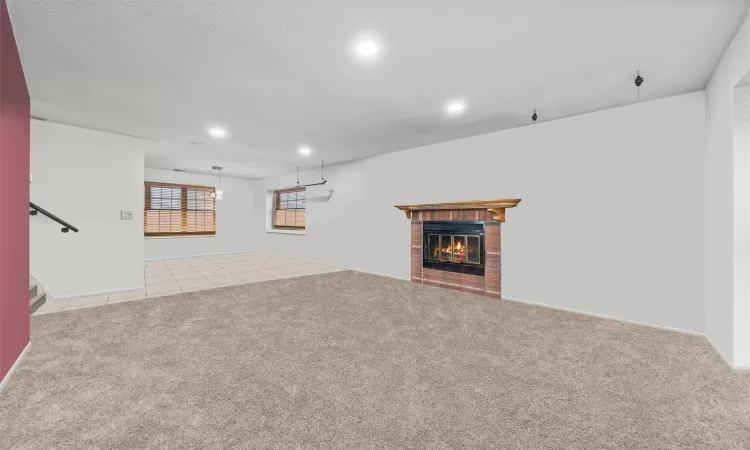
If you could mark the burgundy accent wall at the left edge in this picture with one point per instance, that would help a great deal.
(14, 199)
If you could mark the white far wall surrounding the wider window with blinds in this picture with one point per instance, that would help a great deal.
(233, 218)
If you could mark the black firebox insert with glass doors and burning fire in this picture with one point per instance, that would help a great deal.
(454, 246)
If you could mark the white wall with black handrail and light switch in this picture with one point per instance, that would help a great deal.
(86, 177)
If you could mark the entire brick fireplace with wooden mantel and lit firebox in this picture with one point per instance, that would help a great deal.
(457, 245)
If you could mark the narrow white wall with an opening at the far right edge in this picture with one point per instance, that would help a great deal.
(724, 273)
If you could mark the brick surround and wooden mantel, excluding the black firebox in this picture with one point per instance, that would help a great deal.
(491, 213)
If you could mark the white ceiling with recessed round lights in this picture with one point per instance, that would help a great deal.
(278, 74)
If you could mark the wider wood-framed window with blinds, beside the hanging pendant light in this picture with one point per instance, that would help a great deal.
(178, 210)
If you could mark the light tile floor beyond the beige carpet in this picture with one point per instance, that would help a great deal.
(174, 276)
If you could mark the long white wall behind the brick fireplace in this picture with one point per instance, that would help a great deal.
(610, 221)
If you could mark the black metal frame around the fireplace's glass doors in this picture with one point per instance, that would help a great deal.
(462, 228)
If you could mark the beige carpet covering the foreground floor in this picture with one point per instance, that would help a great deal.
(359, 361)
